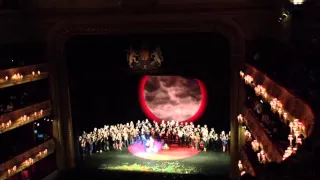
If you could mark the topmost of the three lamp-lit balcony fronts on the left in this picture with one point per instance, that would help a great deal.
(21, 75)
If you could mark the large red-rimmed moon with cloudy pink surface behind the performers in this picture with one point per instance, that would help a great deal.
(172, 98)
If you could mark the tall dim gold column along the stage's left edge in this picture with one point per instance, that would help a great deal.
(62, 125)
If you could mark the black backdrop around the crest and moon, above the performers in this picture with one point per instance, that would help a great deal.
(104, 90)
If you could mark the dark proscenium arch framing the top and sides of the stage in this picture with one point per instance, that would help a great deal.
(63, 31)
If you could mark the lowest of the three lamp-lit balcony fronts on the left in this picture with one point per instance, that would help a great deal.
(27, 159)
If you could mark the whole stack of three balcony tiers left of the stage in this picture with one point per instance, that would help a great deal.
(26, 124)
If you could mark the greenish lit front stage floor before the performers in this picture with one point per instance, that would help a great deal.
(205, 163)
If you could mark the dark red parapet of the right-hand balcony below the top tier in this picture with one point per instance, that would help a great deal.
(260, 134)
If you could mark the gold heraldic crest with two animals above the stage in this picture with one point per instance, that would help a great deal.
(145, 58)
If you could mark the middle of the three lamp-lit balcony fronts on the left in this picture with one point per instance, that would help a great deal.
(24, 116)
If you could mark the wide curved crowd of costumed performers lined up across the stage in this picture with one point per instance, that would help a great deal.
(116, 137)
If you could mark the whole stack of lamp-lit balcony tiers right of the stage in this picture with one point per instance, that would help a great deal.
(274, 122)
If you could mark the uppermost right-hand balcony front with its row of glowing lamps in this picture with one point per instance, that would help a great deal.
(292, 107)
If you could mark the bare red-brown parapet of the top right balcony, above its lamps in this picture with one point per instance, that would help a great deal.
(295, 107)
